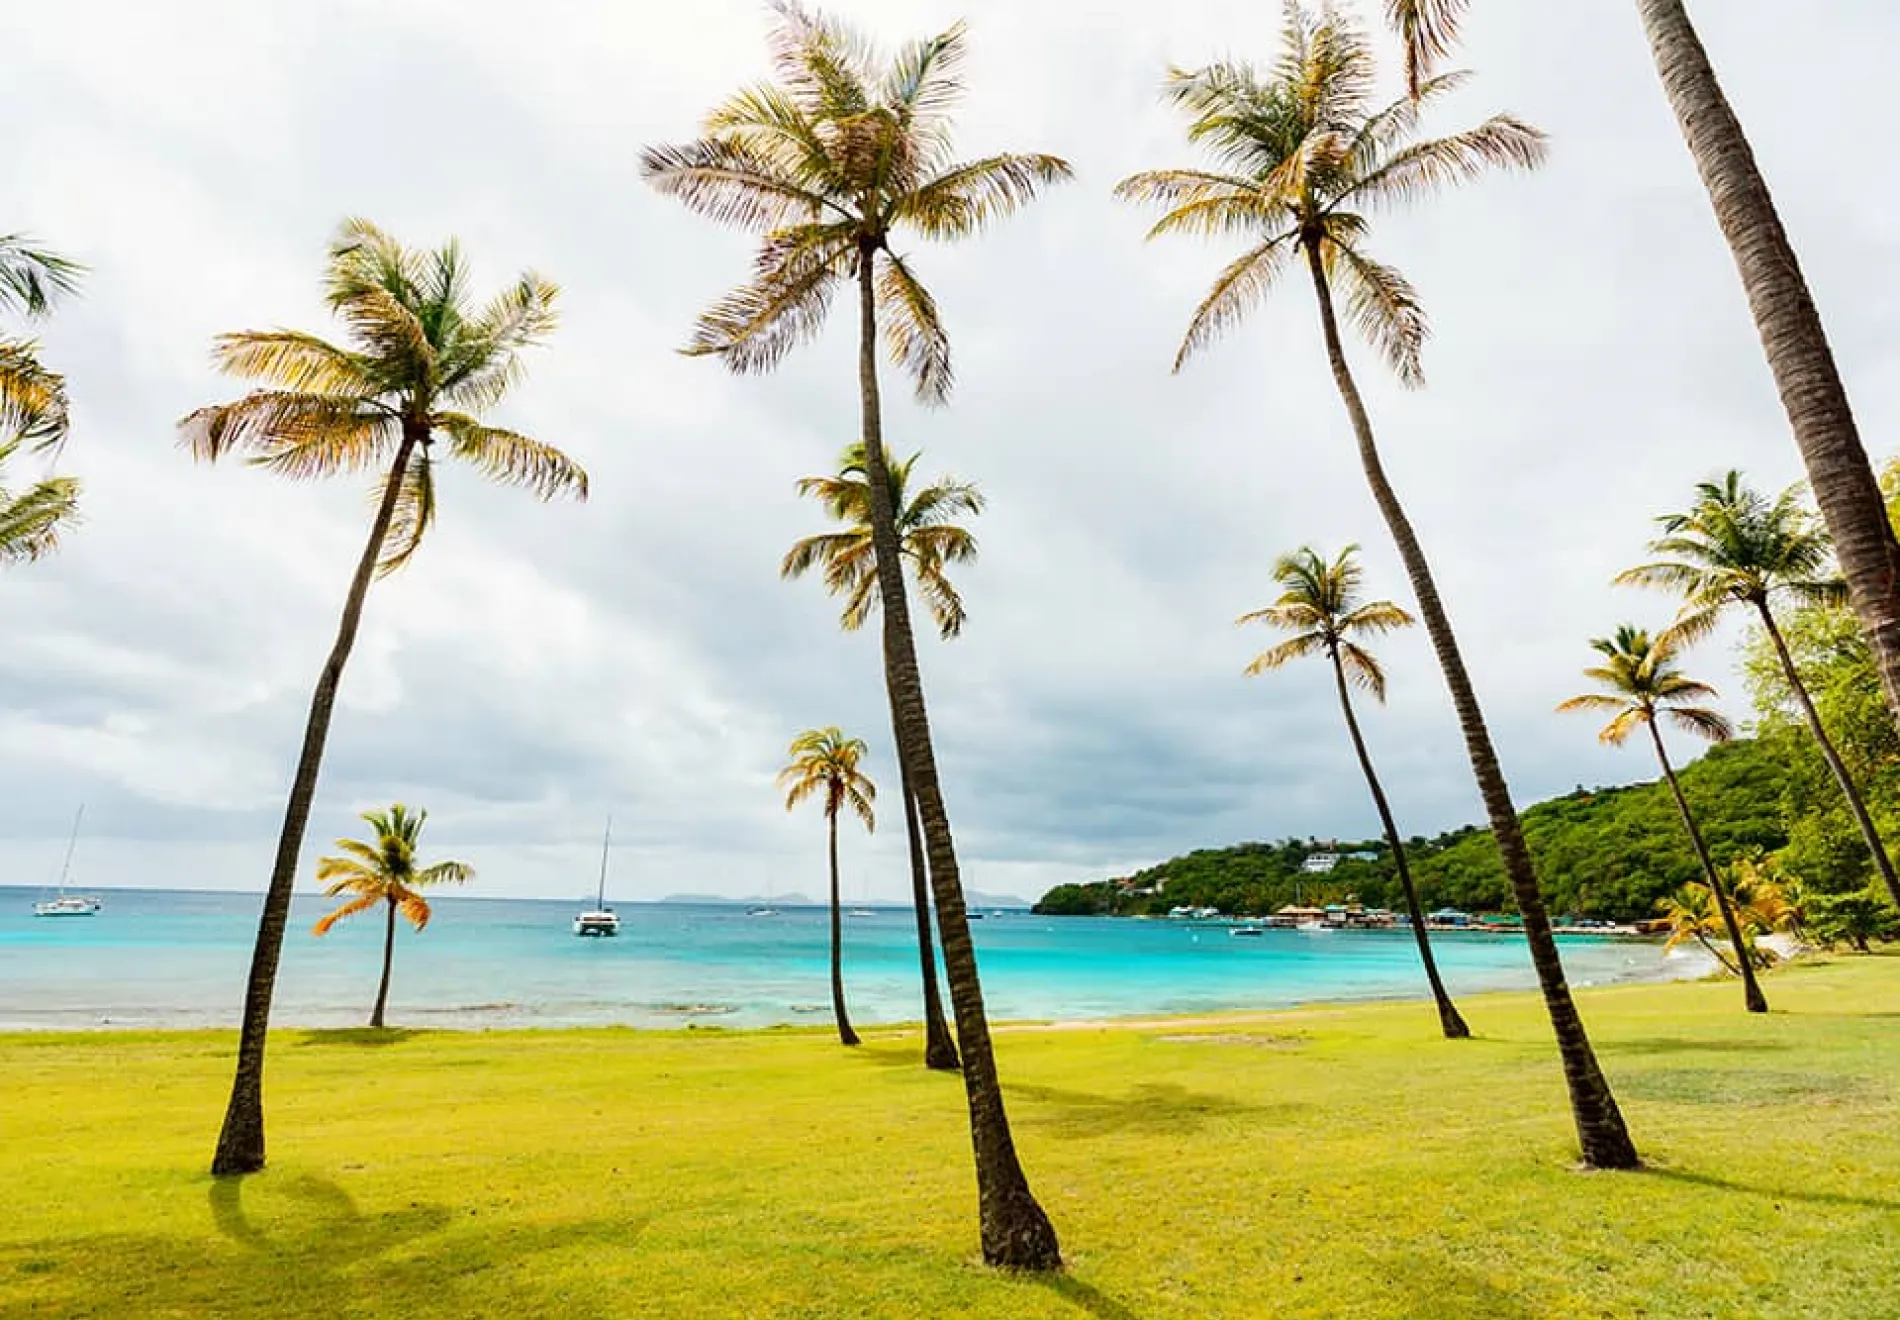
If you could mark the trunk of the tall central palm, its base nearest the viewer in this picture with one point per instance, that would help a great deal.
(1016, 1232)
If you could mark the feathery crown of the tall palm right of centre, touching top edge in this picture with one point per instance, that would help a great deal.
(1302, 157)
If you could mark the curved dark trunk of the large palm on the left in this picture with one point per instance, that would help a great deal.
(242, 1137)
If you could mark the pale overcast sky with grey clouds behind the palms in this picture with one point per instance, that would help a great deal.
(539, 668)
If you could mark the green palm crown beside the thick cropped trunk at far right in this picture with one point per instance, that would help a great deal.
(1739, 546)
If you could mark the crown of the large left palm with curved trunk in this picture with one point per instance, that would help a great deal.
(427, 362)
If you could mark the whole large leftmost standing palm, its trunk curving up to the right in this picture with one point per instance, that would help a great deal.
(425, 364)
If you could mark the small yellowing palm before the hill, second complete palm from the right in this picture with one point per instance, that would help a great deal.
(1643, 685)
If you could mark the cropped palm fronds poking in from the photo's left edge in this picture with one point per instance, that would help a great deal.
(33, 404)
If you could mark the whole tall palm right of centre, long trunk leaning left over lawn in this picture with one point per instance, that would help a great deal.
(1301, 157)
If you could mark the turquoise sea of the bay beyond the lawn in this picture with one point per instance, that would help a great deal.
(174, 960)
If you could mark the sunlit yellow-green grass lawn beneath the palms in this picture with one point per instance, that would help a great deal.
(1321, 1163)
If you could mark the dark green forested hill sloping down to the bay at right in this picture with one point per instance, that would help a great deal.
(1601, 854)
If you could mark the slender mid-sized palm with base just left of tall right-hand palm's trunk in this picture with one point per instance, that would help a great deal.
(1323, 611)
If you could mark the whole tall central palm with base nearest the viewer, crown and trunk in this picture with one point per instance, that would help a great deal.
(845, 151)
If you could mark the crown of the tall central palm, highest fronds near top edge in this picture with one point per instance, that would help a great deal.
(827, 162)
